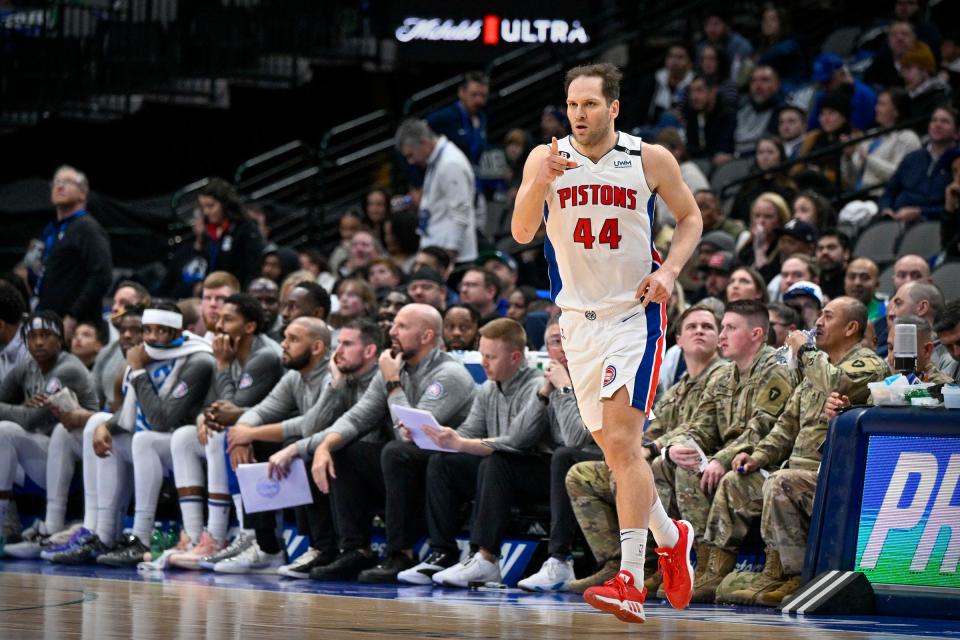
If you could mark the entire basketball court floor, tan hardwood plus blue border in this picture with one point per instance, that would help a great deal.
(39, 600)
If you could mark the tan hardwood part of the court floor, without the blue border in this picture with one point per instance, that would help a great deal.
(55, 607)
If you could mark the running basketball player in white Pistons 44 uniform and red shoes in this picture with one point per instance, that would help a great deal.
(595, 192)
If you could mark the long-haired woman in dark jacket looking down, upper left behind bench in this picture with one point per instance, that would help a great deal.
(232, 241)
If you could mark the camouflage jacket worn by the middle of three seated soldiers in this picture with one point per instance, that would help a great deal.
(734, 404)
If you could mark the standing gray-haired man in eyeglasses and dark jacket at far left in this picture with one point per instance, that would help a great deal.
(77, 267)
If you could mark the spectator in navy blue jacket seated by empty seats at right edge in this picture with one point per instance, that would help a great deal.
(917, 189)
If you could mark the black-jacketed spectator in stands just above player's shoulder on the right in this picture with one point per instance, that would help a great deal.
(710, 123)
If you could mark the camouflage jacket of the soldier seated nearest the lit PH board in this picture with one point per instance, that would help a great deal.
(802, 428)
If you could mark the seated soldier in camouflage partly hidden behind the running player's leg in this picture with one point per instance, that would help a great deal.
(589, 484)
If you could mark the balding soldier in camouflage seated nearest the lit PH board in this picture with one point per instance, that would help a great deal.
(786, 499)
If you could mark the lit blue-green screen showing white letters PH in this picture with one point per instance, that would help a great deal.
(909, 530)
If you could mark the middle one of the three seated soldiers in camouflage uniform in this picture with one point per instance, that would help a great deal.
(748, 393)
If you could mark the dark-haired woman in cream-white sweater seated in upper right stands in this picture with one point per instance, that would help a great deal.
(871, 163)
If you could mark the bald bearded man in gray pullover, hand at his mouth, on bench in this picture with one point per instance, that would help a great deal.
(413, 373)
